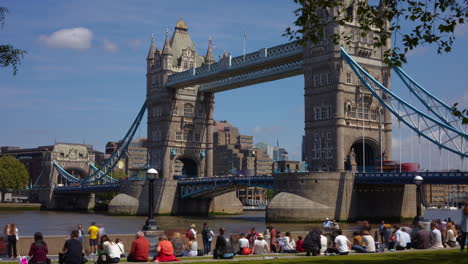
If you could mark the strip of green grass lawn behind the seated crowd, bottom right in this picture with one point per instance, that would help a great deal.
(415, 257)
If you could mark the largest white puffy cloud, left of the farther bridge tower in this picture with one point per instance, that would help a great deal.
(69, 38)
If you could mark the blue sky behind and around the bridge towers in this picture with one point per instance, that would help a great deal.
(90, 88)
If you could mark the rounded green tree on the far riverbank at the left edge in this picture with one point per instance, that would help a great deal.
(13, 174)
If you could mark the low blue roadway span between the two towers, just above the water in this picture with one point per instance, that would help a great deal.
(212, 186)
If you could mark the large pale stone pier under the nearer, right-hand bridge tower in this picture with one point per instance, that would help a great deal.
(315, 196)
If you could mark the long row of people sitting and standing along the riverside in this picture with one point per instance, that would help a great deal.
(328, 240)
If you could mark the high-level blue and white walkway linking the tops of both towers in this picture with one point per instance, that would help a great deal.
(243, 70)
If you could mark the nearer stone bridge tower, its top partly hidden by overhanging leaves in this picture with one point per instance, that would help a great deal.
(339, 110)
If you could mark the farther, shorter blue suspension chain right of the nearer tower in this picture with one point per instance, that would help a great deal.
(431, 102)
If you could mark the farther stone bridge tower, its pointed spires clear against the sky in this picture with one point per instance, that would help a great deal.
(180, 121)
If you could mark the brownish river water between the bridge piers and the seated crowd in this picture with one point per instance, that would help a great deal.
(62, 223)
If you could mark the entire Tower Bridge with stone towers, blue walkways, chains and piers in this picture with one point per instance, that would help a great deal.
(348, 124)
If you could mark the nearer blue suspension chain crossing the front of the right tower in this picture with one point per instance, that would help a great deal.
(442, 135)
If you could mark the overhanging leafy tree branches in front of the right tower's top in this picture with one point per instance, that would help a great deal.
(408, 23)
